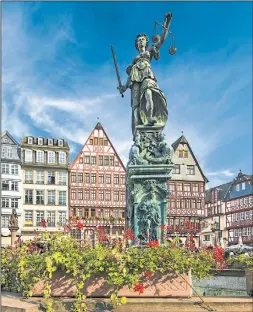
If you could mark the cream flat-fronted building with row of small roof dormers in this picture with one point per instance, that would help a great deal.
(45, 184)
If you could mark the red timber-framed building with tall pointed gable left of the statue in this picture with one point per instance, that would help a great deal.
(97, 192)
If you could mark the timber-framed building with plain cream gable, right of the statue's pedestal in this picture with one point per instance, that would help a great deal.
(186, 204)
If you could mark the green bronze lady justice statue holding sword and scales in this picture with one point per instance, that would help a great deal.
(149, 105)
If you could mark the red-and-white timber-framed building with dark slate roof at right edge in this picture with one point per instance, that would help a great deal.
(239, 210)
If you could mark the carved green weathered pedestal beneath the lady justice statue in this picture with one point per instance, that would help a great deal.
(148, 172)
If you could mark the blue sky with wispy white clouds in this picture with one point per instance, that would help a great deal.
(58, 75)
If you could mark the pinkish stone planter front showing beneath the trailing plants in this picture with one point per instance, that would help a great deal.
(159, 285)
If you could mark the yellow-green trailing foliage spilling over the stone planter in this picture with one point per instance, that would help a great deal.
(25, 265)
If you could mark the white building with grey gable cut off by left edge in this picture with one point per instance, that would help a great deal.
(11, 187)
